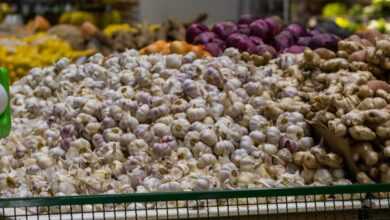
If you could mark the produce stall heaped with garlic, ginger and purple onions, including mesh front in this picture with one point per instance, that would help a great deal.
(247, 118)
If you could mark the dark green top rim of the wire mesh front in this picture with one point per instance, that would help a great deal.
(187, 196)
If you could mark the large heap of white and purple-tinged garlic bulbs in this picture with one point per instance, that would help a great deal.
(142, 123)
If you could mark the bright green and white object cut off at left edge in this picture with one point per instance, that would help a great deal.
(5, 109)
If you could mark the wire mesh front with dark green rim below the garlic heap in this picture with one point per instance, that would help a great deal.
(358, 202)
